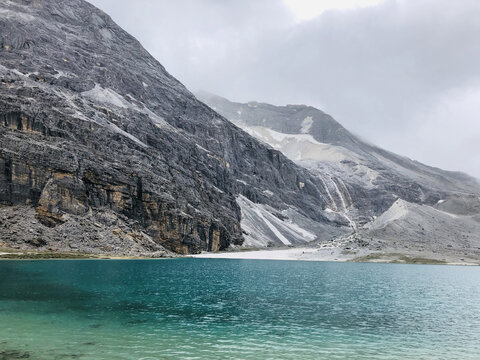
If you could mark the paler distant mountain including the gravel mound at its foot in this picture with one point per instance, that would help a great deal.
(396, 204)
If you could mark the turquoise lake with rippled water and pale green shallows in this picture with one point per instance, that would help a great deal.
(237, 309)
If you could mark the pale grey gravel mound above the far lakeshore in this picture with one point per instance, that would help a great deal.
(406, 227)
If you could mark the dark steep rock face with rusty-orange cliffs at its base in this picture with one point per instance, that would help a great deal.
(91, 124)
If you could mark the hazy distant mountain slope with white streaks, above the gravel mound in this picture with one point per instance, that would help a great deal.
(362, 179)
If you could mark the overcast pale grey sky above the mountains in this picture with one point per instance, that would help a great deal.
(403, 74)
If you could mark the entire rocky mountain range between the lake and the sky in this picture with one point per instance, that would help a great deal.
(102, 151)
